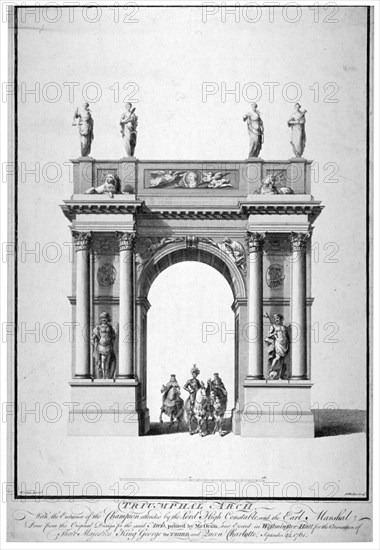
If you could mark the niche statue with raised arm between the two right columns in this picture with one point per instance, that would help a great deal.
(278, 341)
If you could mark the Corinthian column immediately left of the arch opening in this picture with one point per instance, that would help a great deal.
(126, 330)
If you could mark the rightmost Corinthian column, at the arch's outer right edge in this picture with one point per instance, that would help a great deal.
(298, 306)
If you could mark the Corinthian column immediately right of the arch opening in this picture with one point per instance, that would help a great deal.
(255, 306)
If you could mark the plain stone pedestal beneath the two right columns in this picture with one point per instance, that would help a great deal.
(277, 408)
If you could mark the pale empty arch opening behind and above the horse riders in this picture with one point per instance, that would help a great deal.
(190, 321)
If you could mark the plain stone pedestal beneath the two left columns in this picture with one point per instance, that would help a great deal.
(106, 408)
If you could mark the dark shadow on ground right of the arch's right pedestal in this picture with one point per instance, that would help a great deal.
(339, 422)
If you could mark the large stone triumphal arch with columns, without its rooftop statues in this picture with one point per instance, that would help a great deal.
(252, 221)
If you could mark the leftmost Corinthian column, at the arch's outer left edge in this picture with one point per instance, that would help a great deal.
(82, 242)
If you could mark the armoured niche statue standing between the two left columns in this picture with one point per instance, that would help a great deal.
(103, 338)
